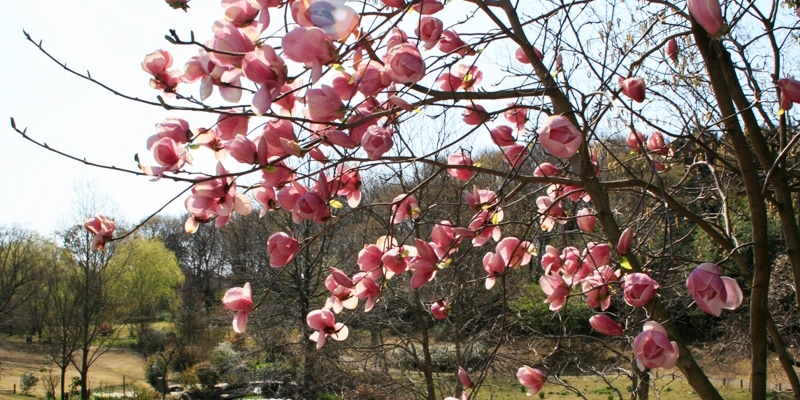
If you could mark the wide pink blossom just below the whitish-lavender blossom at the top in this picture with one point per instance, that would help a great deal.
(310, 46)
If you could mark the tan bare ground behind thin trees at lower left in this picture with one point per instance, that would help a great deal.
(17, 358)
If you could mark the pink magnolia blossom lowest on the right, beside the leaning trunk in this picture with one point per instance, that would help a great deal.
(653, 349)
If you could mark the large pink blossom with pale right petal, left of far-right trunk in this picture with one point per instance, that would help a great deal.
(713, 292)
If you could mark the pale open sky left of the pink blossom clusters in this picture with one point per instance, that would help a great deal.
(109, 39)
